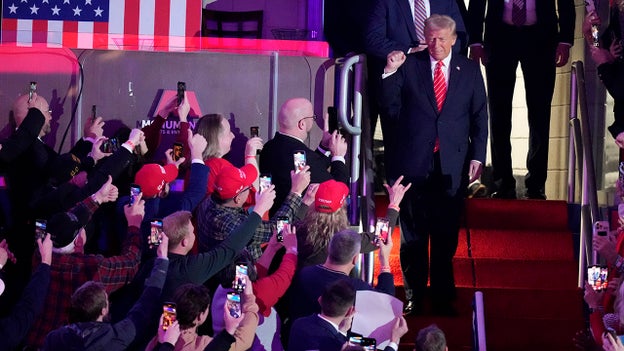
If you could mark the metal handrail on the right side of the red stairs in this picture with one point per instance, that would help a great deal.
(582, 152)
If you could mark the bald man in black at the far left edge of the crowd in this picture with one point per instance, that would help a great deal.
(28, 174)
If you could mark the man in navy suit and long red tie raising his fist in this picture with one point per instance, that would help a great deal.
(437, 140)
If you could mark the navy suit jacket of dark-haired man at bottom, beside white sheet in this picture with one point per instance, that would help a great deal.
(314, 333)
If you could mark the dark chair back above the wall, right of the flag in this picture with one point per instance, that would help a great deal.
(225, 24)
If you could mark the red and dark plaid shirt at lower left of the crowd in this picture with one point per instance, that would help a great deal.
(70, 271)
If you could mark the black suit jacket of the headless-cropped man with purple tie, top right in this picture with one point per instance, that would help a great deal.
(556, 28)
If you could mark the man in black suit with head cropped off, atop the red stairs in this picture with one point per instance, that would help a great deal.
(537, 34)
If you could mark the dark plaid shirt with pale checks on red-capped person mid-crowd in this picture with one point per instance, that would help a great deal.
(215, 222)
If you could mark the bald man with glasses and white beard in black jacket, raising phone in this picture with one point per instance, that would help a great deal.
(296, 118)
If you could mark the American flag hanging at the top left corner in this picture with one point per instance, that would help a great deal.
(163, 25)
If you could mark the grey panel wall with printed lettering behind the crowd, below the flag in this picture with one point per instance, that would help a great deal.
(125, 86)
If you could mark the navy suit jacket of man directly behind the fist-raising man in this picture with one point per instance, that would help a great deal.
(391, 26)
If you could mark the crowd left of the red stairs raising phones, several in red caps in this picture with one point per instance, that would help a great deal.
(114, 262)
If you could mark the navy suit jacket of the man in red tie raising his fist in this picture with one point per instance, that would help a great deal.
(412, 121)
